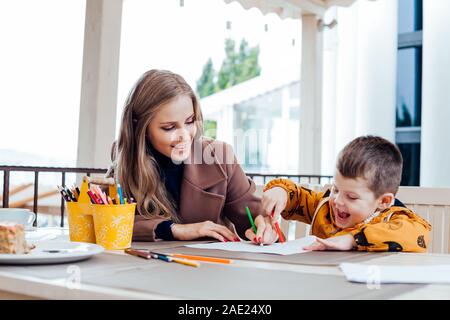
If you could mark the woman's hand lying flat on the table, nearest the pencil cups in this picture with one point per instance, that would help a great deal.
(194, 231)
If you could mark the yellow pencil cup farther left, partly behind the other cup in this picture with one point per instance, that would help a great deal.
(81, 222)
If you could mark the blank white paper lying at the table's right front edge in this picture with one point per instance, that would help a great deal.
(377, 274)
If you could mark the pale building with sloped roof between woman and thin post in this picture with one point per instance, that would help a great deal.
(260, 119)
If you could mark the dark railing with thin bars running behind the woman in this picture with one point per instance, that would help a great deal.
(88, 171)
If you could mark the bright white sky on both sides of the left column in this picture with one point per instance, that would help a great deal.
(42, 49)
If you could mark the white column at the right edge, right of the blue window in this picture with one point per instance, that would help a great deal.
(435, 140)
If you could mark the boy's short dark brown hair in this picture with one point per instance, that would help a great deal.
(375, 159)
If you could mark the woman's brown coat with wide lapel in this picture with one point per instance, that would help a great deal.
(217, 190)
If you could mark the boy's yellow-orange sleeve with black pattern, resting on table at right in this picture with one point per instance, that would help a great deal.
(405, 231)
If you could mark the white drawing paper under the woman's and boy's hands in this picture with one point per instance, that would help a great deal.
(289, 247)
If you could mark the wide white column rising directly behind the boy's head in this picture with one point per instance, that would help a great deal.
(365, 72)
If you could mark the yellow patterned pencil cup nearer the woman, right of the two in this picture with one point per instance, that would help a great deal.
(113, 225)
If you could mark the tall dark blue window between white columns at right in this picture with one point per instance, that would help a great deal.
(409, 92)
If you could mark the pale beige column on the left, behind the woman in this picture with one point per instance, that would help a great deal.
(99, 82)
